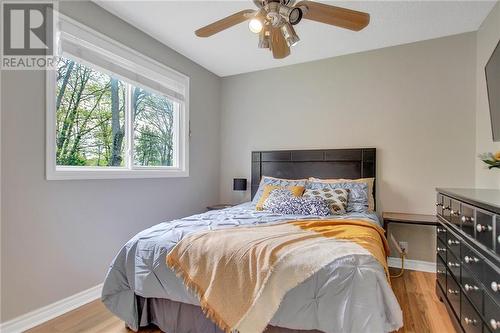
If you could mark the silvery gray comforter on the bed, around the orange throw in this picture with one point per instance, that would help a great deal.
(351, 294)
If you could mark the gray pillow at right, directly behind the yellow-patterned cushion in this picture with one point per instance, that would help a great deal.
(358, 194)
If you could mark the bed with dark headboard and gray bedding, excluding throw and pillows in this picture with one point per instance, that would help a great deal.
(349, 294)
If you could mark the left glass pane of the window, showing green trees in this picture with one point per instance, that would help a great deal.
(90, 116)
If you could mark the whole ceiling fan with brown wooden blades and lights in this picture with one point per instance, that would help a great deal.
(274, 21)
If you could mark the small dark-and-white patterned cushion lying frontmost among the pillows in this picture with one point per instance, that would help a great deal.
(282, 201)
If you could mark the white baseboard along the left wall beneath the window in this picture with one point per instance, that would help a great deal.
(51, 311)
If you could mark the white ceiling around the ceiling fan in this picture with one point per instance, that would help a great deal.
(235, 50)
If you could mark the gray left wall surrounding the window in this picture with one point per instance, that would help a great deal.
(58, 237)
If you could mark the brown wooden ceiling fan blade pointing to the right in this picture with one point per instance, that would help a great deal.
(337, 16)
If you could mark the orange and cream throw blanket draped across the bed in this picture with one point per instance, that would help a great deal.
(240, 275)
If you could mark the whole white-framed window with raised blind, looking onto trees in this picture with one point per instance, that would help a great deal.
(113, 113)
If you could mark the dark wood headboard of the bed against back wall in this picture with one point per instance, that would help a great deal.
(324, 163)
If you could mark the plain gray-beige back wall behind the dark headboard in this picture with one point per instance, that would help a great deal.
(415, 103)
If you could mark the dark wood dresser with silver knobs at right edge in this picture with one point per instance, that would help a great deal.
(468, 257)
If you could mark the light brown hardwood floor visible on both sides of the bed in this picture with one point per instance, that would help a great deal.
(423, 312)
